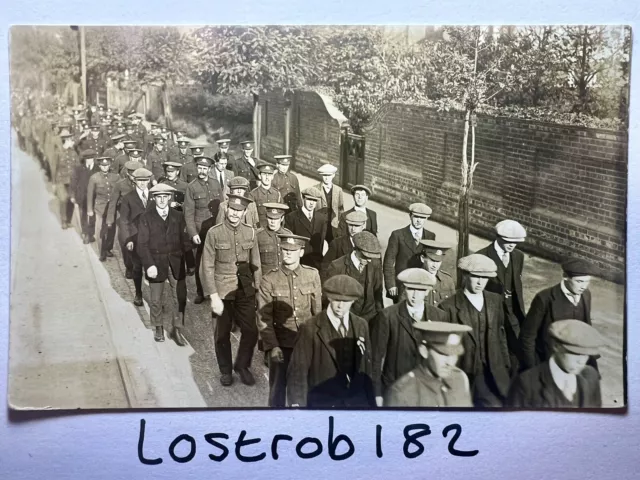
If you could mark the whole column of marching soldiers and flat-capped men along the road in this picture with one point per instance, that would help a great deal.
(305, 280)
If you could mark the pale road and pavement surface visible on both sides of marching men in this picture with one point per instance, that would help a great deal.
(77, 341)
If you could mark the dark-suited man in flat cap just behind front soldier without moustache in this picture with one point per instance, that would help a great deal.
(312, 223)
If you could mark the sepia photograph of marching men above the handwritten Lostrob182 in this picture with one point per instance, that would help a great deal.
(318, 217)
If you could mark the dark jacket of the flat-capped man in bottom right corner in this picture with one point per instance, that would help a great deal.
(535, 388)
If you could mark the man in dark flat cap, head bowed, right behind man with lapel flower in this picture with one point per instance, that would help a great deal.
(363, 264)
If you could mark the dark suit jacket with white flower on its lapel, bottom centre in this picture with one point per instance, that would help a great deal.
(315, 379)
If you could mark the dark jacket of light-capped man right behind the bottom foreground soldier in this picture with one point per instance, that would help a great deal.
(395, 343)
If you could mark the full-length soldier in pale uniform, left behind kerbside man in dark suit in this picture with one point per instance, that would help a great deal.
(99, 194)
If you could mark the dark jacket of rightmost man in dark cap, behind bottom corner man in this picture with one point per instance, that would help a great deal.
(534, 339)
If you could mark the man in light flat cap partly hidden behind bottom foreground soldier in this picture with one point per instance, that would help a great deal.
(394, 342)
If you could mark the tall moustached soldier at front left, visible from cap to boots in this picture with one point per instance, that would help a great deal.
(231, 273)
